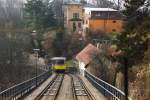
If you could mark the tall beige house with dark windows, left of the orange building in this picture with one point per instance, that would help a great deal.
(73, 17)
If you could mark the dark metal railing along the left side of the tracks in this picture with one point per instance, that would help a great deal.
(19, 90)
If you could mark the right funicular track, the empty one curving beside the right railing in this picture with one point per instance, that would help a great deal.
(79, 89)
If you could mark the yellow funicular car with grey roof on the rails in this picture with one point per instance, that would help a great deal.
(58, 64)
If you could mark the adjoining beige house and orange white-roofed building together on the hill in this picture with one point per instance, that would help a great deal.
(78, 18)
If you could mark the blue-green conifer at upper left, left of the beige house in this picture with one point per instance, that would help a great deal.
(39, 17)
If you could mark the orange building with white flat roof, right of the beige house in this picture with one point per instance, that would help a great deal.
(102, 19)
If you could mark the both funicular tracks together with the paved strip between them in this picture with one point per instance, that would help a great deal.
(66, 87)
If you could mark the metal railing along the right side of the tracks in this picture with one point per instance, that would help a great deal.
(109, 91)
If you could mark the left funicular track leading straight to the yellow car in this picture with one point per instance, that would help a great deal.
(51, 91)
